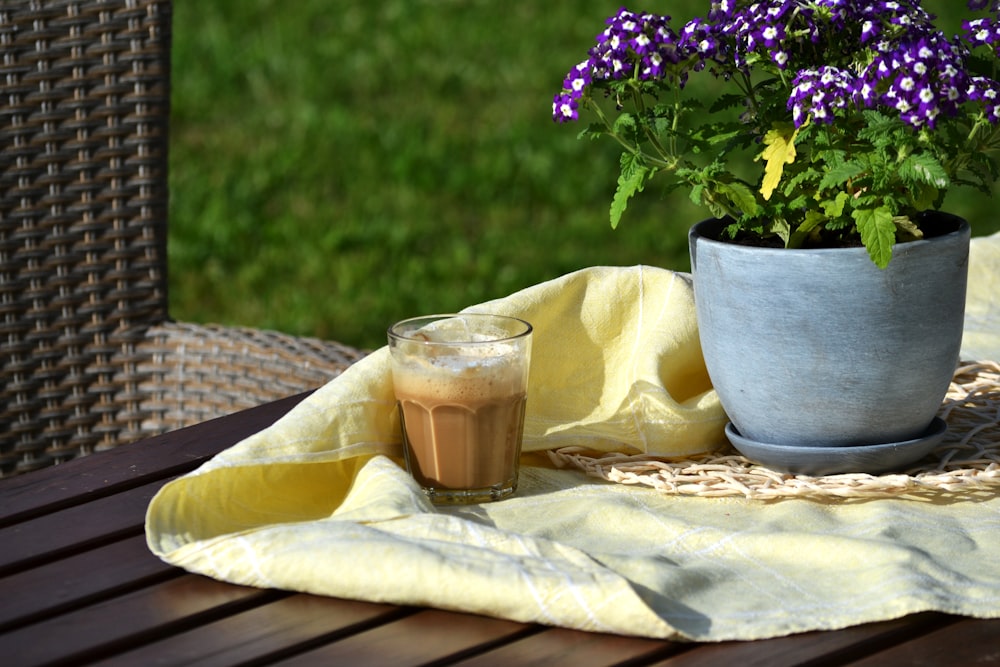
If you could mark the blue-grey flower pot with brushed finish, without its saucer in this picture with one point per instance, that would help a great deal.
(820, 347)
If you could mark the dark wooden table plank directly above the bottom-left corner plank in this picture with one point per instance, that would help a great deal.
(82, 579)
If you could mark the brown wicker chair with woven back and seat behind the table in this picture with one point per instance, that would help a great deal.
(90, 356)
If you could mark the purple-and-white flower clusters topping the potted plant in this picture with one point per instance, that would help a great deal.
(912, 68)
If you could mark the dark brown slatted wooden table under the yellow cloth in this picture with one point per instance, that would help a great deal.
(78, 586)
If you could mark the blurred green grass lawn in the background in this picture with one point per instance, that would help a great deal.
(336, 165)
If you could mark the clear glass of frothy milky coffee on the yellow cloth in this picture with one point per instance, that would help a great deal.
(460, 383)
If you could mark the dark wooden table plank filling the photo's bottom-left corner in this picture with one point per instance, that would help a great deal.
(131, 620)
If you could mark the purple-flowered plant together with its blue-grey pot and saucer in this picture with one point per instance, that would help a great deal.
(829, 285)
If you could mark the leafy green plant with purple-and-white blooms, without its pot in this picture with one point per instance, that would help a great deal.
(840, 174)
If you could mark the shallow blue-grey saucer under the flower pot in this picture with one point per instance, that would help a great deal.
(817, 461)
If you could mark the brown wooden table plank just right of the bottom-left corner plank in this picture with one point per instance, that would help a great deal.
(263, 634)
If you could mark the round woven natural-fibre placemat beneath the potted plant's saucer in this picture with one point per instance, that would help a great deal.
(967, 461)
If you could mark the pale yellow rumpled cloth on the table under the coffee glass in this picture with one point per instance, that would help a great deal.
(318, 502)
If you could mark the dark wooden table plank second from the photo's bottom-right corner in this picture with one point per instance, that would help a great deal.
(809, 646)
